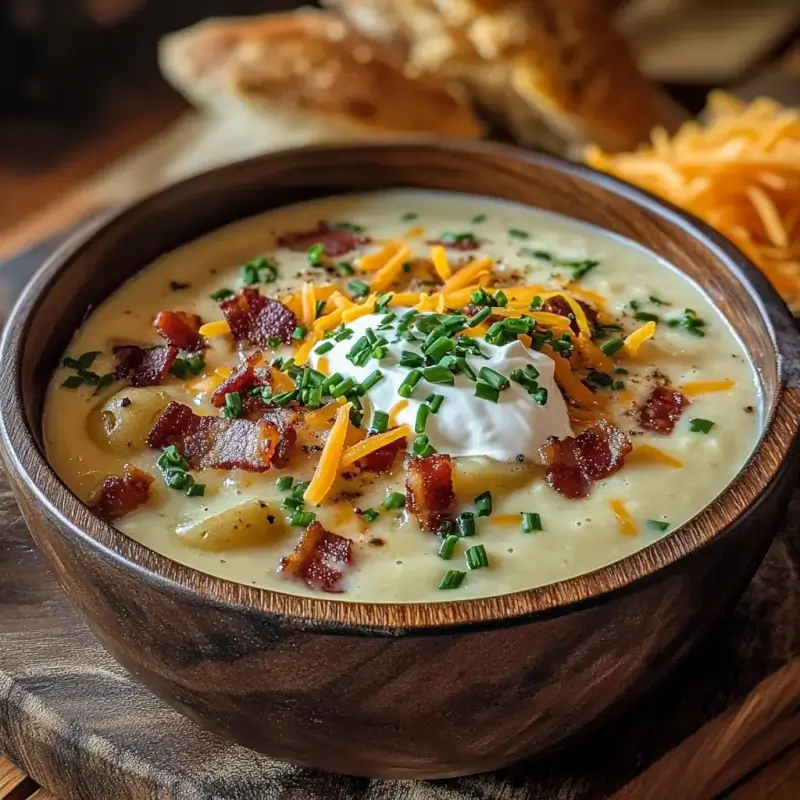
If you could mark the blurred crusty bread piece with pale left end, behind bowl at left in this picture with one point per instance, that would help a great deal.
(310, 76)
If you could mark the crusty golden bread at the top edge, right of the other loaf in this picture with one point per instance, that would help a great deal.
(554, 72)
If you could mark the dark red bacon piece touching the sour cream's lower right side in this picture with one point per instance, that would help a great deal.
(573, 464)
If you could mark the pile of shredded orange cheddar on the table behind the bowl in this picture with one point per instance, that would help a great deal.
(740, 173)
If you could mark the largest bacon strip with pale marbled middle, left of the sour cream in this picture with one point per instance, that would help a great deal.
(216, 442)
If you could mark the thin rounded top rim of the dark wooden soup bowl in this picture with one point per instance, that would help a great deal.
(28, 465)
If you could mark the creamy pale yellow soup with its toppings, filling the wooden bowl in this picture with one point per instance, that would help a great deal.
(238, 523)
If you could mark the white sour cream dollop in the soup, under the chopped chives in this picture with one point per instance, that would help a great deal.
(465, 425)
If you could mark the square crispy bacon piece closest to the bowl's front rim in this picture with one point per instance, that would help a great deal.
(320, 558)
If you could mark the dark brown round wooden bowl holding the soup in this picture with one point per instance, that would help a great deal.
(398, 691)
